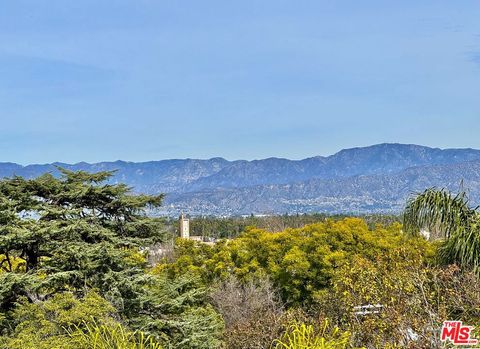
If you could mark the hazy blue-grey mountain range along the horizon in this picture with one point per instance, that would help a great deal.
(377, 178)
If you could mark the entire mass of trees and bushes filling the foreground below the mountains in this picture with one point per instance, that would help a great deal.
(76, 274)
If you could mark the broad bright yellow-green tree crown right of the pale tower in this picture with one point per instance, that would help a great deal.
(299, 262)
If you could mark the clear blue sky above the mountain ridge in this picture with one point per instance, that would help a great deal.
(139, 80)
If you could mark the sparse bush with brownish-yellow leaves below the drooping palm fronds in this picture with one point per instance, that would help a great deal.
(415, 297)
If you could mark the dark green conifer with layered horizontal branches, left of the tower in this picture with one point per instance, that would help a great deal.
(73, 233)
